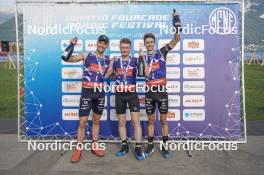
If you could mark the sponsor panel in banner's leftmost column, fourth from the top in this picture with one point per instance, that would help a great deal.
(71, 86)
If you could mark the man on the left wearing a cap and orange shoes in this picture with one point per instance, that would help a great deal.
(92, 98)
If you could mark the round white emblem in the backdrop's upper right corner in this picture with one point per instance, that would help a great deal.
(223, 21)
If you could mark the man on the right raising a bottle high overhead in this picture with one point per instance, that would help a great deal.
(155, 72)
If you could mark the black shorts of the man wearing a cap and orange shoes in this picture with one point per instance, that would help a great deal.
(91, 100)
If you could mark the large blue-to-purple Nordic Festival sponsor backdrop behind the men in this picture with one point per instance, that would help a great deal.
(203, 70)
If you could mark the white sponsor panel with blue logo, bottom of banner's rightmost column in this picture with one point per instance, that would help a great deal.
(193, 115)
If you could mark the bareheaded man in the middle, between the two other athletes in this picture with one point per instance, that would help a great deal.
(124, 68)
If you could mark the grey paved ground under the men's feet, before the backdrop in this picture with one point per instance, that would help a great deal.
(15, 159)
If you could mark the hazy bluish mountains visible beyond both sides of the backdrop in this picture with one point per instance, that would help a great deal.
(254, 23)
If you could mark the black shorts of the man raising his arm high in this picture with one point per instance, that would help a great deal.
(153, 98)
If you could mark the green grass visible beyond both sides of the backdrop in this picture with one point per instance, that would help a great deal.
(254, 88)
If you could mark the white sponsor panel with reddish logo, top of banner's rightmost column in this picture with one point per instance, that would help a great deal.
(193, 44)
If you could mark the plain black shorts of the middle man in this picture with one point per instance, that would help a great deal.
(124, 98)
